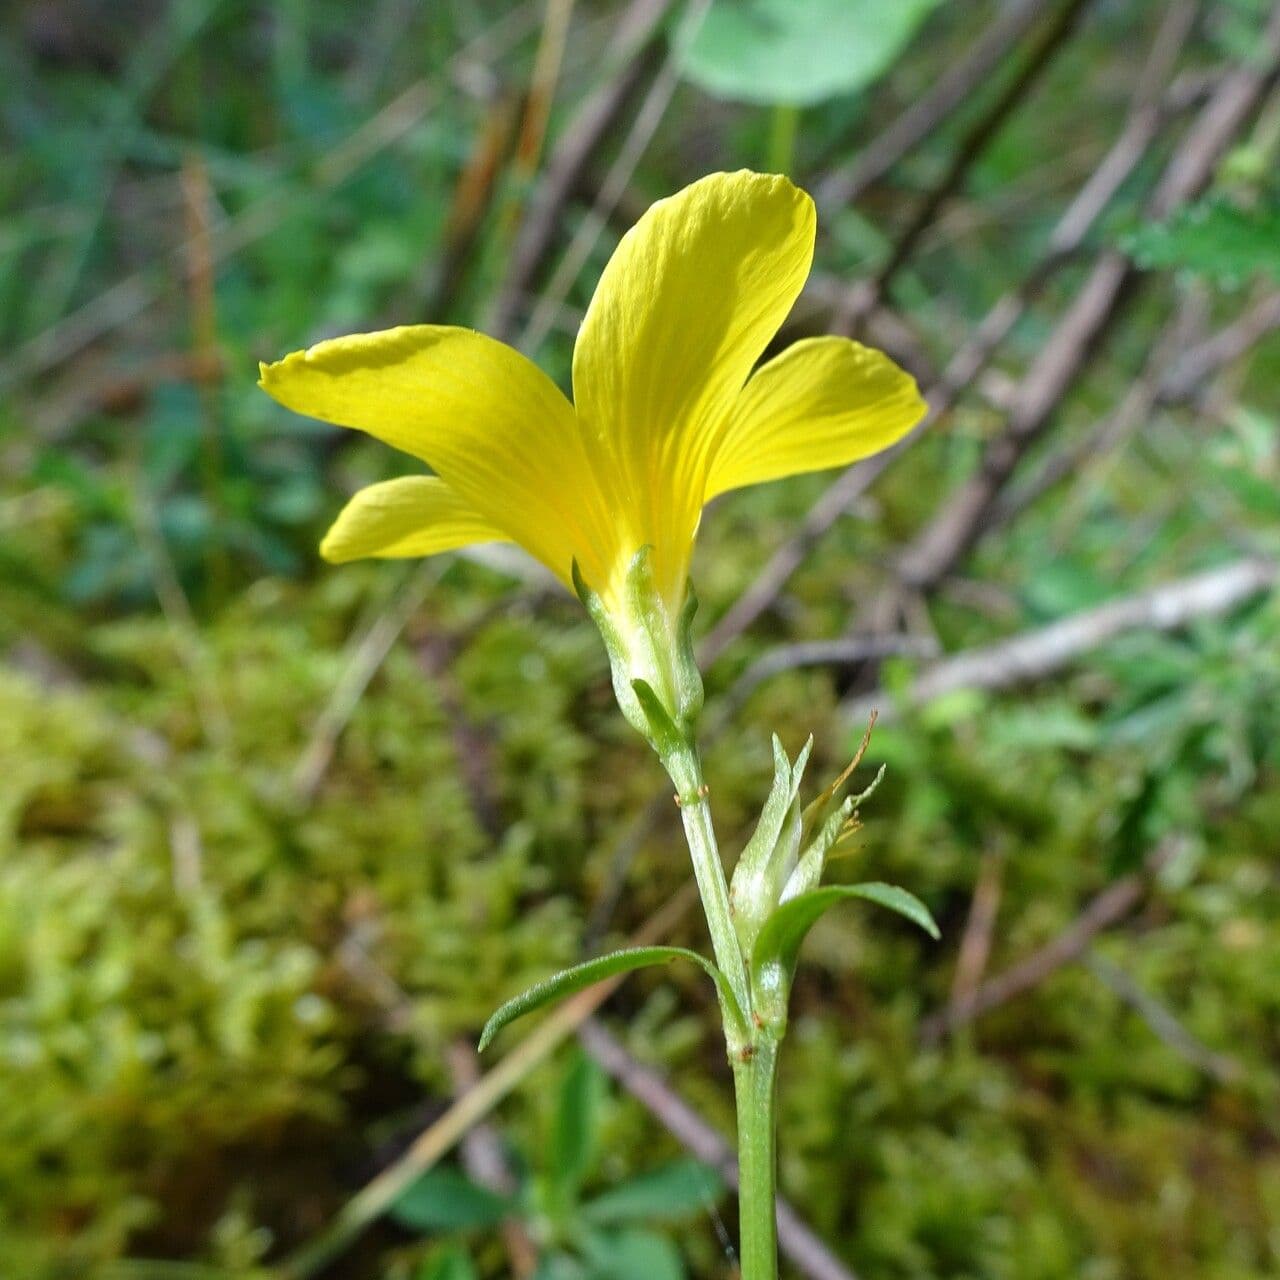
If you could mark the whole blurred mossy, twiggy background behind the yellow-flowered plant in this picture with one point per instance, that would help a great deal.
(276, 838)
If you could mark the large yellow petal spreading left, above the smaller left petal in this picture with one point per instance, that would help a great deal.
(490, 423)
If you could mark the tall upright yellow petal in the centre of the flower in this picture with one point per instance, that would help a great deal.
(684, 310)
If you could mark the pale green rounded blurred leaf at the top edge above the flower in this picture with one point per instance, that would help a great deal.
(799, 53)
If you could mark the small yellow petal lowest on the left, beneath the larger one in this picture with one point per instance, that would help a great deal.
(412, 516)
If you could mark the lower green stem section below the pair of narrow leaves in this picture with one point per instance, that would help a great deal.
(756, 1089)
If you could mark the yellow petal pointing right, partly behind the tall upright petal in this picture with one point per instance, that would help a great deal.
(825, 403)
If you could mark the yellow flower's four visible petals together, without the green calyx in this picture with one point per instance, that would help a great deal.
(666, 412)
